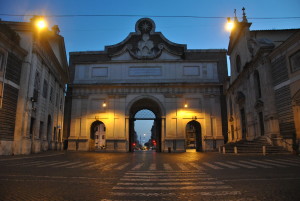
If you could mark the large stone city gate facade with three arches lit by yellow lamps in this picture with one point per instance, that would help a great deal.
(182, 87)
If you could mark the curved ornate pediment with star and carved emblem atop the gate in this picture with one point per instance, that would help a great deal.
(145, 44)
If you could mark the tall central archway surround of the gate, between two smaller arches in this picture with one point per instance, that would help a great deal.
(145, 103)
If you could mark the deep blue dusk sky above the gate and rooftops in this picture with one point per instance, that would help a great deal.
(93, 33)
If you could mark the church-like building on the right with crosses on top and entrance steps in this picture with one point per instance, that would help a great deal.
(261, 93)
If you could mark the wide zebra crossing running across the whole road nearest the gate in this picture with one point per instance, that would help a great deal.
(191, 166)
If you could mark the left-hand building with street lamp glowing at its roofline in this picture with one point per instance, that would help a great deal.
(33, 74)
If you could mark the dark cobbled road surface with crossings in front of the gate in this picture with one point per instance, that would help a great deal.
(149, 176)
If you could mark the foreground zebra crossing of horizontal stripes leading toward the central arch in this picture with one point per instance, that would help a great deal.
(176, 184)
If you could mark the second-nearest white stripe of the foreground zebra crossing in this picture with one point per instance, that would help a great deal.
(171, 188)
